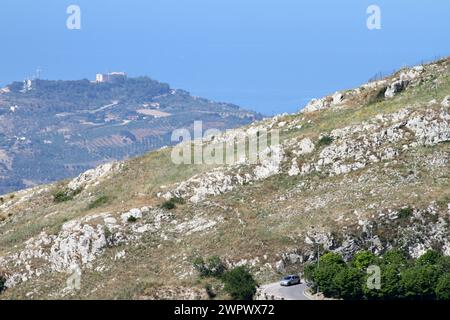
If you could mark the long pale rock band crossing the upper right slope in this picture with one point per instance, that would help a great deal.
(353, 148)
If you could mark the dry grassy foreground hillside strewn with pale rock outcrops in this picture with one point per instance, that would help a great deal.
(366, 168)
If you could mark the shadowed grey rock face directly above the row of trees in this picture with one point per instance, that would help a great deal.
(432, 231)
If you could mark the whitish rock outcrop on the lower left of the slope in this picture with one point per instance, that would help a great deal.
(82, 241)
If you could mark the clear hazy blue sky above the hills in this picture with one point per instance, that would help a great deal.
(267, 55)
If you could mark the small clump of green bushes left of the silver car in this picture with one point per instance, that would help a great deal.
(238, 282)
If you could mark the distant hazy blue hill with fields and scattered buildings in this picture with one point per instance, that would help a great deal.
(51, 130)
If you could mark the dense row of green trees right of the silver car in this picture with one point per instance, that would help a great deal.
(427, 277)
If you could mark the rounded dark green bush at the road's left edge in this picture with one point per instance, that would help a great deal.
(239, 283)
